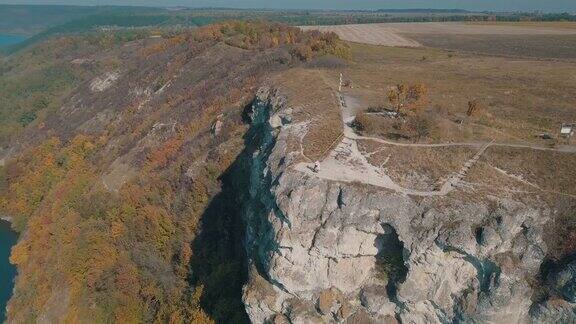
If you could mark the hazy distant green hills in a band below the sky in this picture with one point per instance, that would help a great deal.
(42, 22)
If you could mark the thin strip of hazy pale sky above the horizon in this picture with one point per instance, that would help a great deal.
(499, 5)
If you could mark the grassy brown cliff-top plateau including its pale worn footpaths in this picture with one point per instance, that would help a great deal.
(485, 152)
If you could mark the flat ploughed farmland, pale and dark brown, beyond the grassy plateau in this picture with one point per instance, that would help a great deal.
(555, 40)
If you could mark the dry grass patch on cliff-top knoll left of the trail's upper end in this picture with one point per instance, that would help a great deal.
(313, 99)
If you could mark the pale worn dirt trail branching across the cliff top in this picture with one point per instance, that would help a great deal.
(346, 163)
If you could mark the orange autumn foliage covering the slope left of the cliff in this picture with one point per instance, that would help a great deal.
(126, 257)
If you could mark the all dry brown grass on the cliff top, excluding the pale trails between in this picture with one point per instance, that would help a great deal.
(520, 98)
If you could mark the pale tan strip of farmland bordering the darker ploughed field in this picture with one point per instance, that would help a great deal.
(398, 34)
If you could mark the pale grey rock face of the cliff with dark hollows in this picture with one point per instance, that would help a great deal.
(324, 251)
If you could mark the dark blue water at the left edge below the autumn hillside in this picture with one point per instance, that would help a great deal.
(7, 271)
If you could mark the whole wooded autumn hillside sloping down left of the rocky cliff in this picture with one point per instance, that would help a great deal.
(115, 147)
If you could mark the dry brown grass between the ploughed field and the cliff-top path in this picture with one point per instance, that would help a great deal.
(523, 98)
